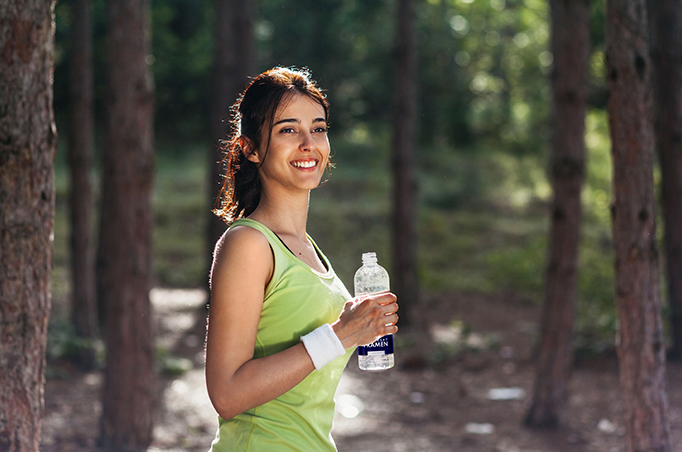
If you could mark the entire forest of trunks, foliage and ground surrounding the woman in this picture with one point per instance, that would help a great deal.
(523, 190)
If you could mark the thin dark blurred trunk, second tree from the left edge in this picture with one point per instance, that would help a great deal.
(83, 308)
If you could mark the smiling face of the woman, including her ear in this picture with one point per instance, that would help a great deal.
(298, 146)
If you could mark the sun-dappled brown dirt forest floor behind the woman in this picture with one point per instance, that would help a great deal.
(463, 376)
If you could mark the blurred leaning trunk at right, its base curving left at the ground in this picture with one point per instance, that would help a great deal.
(570, 21)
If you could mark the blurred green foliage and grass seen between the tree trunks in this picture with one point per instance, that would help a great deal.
(482, 147)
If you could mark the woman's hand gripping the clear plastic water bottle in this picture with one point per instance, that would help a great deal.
(366, 318)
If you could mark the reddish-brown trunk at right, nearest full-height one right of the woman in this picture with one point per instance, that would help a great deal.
(641, 350)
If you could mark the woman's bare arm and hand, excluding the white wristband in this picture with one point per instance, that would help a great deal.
(236, 382)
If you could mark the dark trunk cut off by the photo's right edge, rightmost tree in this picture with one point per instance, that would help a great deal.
(667, 82)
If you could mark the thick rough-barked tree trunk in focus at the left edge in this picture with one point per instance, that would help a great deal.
(27, 147)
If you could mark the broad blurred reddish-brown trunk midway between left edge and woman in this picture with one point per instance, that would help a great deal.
(124, 259)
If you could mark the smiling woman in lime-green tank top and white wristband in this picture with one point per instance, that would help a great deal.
(281, 326)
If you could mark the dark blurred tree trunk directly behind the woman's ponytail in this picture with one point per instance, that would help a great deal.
(234, 62)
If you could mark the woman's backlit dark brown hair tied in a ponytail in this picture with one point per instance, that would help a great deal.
(256, 107)
